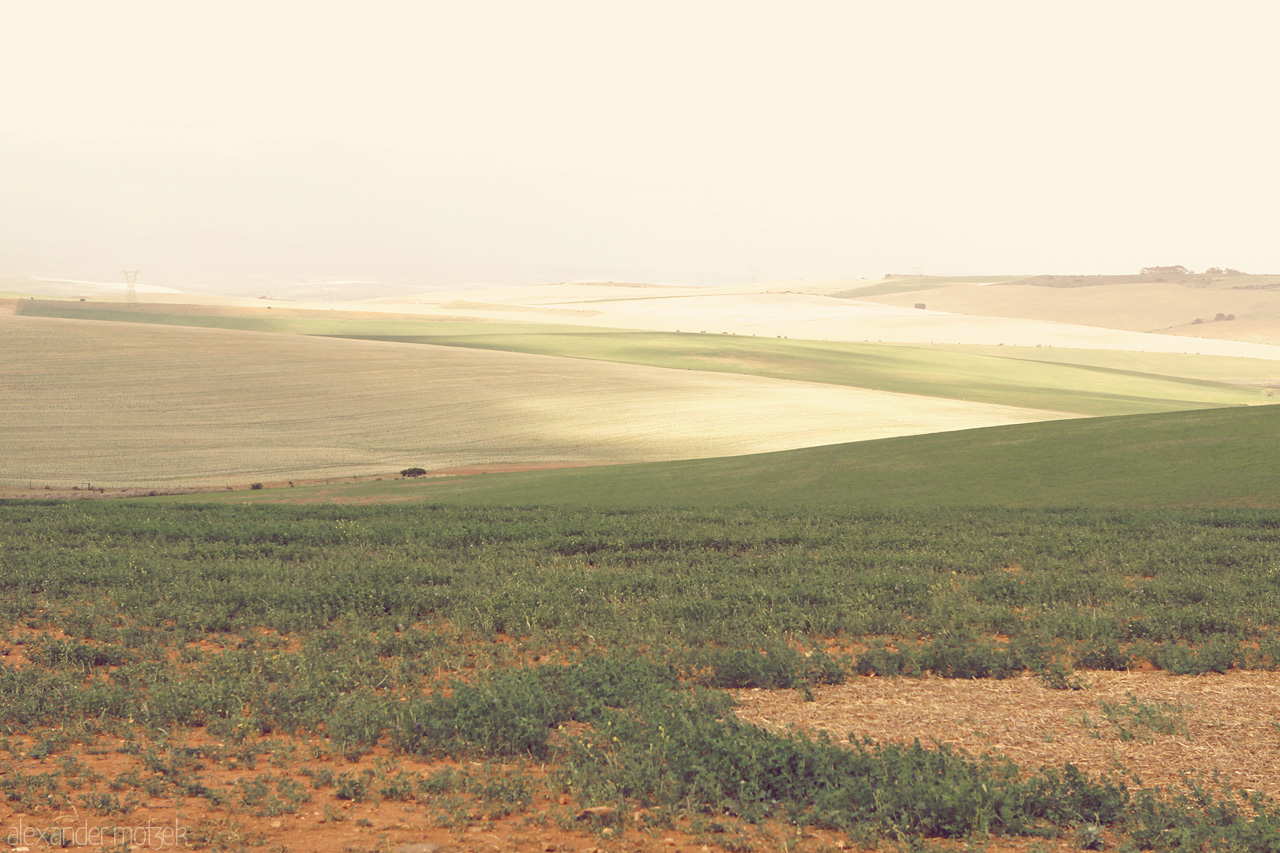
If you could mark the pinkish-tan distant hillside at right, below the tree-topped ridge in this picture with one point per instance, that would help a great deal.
(1136, 308)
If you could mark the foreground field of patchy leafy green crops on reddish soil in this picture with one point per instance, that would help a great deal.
(514, 668)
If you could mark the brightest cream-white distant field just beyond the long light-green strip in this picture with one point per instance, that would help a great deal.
(778, 312)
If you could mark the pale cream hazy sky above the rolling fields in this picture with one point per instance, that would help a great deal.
(441, 143)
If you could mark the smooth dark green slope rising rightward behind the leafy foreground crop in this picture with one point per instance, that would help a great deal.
(1203, 459)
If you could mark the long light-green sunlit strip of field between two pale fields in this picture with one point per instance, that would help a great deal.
(1025, 377)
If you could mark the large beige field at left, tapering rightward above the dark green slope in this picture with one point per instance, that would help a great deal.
(120, 405)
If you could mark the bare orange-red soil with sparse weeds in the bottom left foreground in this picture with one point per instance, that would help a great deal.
(153, 815)
